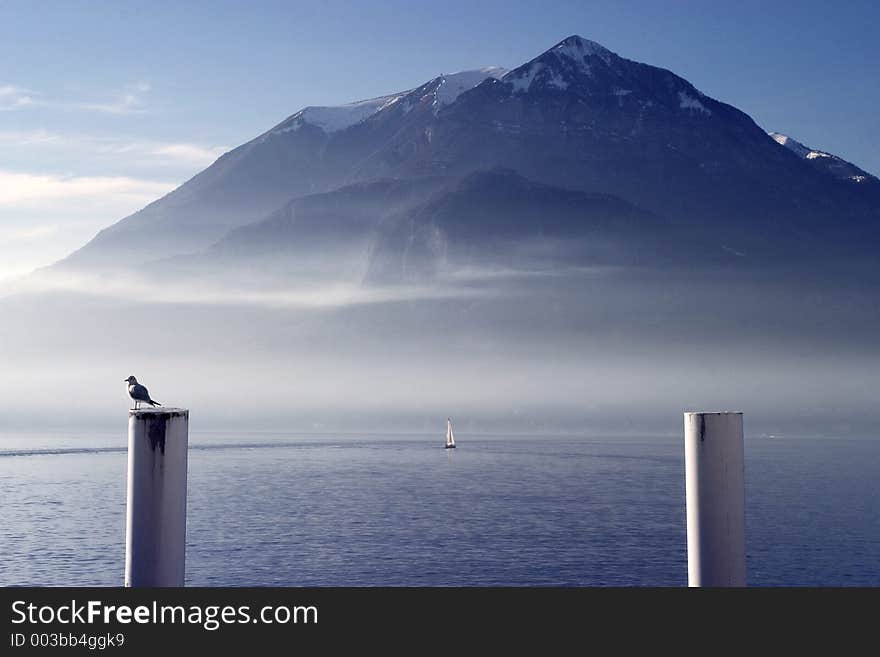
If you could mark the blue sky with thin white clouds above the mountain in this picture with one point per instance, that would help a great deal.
(105, 106)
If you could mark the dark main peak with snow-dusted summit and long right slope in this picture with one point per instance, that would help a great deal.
(580, 116)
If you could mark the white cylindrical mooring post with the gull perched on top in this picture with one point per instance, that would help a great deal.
(155, 521)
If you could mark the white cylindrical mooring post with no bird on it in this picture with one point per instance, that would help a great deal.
(715, 491)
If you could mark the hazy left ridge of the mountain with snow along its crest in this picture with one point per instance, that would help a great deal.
(314, 150)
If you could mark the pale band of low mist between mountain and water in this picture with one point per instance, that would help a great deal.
(578, 350)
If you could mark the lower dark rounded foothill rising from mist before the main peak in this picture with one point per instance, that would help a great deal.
(499, 220)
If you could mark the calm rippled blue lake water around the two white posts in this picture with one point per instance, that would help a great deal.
(304, 510)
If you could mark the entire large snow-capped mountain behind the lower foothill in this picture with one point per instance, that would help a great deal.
(578, 117)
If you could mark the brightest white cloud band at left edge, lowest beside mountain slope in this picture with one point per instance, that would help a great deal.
(28, 189)
